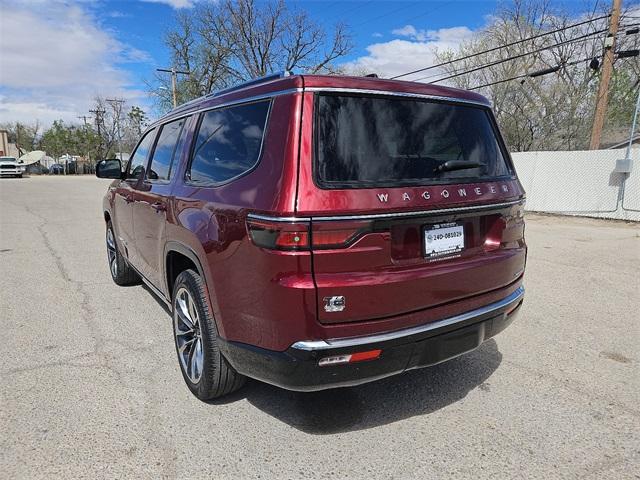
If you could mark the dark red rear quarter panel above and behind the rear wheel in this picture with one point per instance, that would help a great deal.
(254, 294)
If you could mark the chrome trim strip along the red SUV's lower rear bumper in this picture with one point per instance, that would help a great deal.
(314, 345)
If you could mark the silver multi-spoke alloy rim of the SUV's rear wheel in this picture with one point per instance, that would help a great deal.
(186, 324)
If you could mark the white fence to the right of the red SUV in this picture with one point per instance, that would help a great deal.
(580, 183)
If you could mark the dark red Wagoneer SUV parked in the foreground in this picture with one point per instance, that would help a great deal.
(321, 231)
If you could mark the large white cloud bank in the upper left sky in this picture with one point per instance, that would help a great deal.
(55, 59)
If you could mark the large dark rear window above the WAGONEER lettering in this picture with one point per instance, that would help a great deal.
(373, 141)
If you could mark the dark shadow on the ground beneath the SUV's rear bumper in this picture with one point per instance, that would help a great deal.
(418, 392)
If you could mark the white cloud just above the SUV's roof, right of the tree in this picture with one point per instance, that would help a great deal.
(398, 56)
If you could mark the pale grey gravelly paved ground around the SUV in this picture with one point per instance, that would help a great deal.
(90, 385)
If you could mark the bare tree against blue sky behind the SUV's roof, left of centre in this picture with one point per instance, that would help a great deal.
(234, 40)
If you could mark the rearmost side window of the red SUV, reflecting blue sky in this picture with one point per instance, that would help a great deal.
(228, 142)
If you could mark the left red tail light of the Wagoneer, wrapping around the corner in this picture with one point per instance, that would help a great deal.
(304, 235)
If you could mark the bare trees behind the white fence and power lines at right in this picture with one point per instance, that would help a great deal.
(551, 111)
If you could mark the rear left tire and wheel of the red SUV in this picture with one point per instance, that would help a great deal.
(205, 370)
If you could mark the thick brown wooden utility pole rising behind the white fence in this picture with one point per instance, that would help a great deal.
(602, 99)
